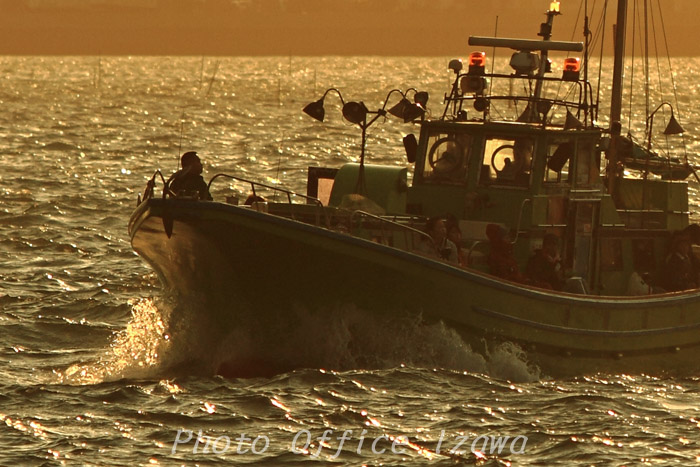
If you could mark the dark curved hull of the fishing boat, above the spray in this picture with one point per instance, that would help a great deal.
(216, 254)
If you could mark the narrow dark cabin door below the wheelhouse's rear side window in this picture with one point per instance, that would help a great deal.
(581, 238)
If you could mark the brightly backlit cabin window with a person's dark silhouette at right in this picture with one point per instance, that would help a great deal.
(507, 161)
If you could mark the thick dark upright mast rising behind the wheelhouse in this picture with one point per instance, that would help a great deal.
(616, 100)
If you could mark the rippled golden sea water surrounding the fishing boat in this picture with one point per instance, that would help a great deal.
(90, 375)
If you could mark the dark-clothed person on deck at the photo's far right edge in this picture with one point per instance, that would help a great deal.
(680, 269)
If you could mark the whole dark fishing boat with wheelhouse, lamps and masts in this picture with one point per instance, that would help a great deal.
(525, 165)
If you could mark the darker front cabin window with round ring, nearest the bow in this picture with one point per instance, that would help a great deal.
(447, 157)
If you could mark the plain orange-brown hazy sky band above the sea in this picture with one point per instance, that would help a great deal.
(302, 27)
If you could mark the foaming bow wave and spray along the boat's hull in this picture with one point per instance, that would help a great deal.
(166, 339)
